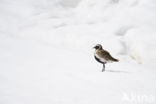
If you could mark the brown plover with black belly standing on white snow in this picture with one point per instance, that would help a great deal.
(103, 56)
